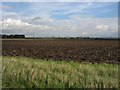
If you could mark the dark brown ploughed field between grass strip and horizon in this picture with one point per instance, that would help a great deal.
(94, 51)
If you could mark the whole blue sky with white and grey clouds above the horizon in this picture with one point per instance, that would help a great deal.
(64, 19)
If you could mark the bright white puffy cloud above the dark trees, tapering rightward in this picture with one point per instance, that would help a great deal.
(18, 26)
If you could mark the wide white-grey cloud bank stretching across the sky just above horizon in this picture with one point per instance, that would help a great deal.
(74, 26)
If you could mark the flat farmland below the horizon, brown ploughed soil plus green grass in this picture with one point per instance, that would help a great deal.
(48, 63)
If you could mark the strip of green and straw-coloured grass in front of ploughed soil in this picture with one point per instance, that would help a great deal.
(21, 72)
